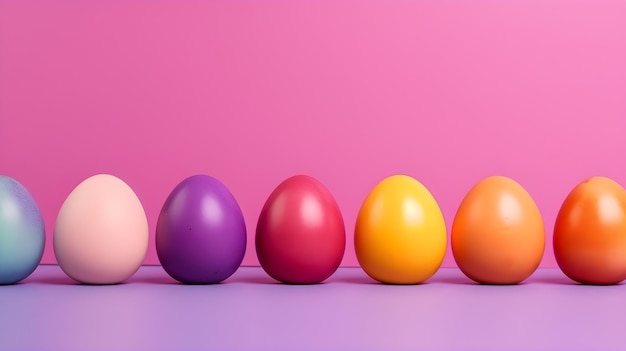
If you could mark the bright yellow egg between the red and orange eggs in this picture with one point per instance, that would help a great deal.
(400, 233)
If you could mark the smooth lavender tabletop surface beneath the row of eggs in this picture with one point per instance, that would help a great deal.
(250, 311)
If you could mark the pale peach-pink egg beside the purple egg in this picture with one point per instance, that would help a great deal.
(101, 232)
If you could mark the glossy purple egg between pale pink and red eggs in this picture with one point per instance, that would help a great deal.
(201, 233)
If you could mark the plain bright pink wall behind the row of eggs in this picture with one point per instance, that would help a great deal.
(252, 92)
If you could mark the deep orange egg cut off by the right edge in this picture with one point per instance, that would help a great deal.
(590, 232)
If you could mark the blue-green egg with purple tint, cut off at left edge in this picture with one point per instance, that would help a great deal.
(22, 232)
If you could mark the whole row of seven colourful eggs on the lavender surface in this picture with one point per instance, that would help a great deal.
(498, 237)
